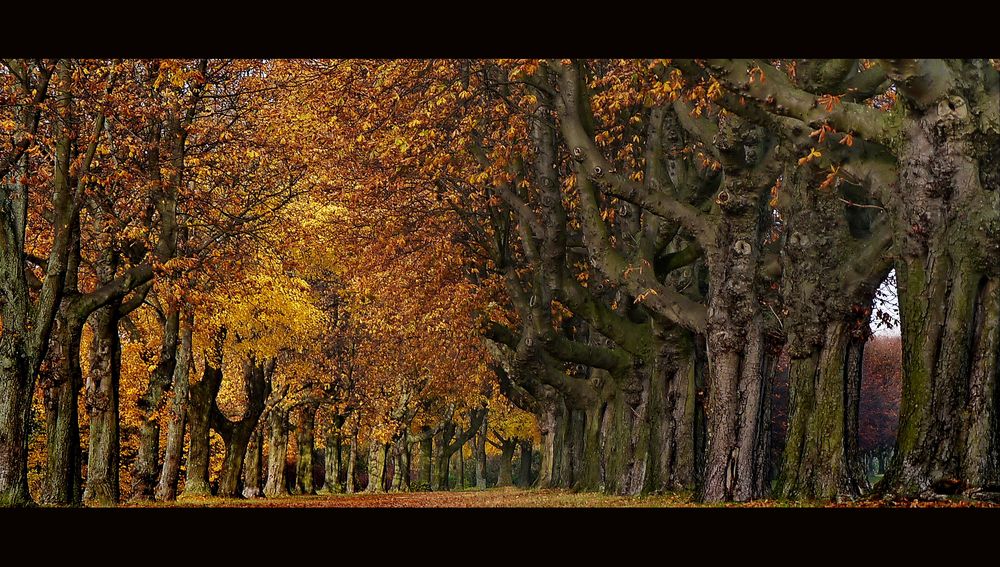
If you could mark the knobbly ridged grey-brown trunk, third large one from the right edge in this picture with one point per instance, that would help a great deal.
(739, 350)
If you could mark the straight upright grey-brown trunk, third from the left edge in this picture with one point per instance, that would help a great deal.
(102, 486)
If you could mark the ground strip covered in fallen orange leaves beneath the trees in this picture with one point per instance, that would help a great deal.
(518, 498)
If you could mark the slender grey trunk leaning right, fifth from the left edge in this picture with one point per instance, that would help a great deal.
(166, 489)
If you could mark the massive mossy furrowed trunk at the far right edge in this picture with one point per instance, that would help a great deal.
(945, 218)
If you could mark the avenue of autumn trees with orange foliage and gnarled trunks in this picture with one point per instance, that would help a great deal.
(213, 268)
